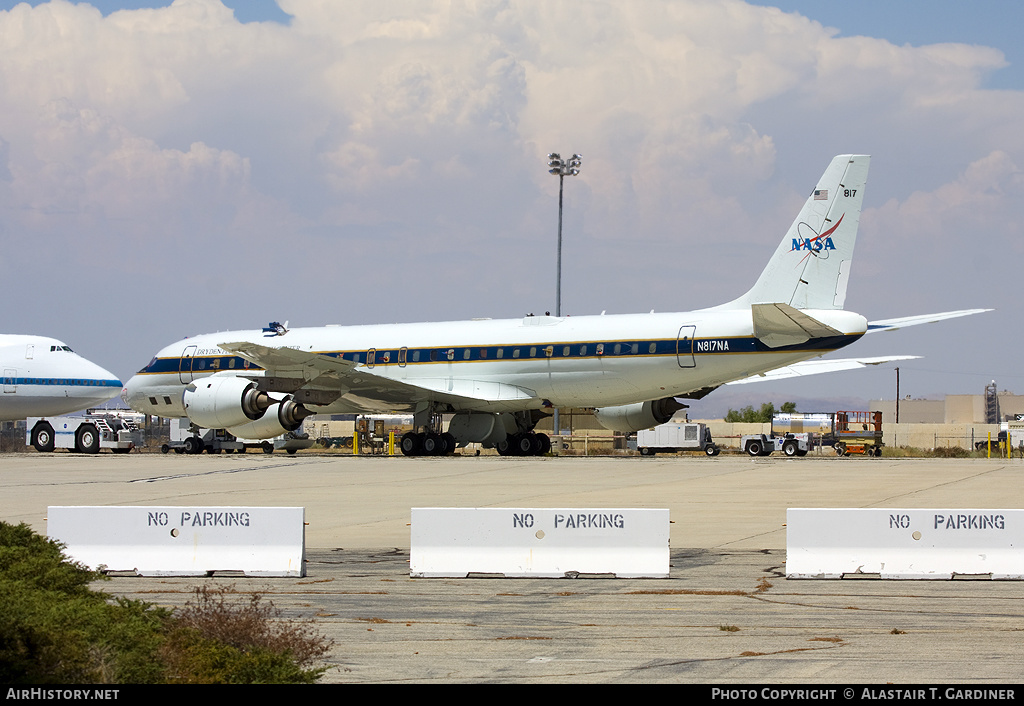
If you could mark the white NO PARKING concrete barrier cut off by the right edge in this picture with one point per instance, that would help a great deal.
(905, 544)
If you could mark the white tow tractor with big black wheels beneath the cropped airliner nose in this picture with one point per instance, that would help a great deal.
(87, 435)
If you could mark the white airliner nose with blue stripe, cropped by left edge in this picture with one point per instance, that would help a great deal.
(44, 378)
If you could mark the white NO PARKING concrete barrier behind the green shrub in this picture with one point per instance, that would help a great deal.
(184, 542)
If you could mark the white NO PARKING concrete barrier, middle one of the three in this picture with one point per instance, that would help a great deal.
(539, 543)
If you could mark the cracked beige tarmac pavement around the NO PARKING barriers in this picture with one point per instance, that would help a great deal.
(726, 615)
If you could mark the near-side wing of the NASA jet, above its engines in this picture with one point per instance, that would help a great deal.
(290, 370)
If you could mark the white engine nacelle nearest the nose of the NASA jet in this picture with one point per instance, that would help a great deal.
(219, 403)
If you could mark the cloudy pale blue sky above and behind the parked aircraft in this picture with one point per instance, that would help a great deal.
(205, 167)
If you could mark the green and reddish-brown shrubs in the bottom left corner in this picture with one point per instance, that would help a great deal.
(55, 629)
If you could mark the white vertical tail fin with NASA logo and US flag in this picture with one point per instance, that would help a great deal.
(812, 267)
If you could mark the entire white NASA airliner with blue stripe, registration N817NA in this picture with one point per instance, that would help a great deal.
(499, 379)
